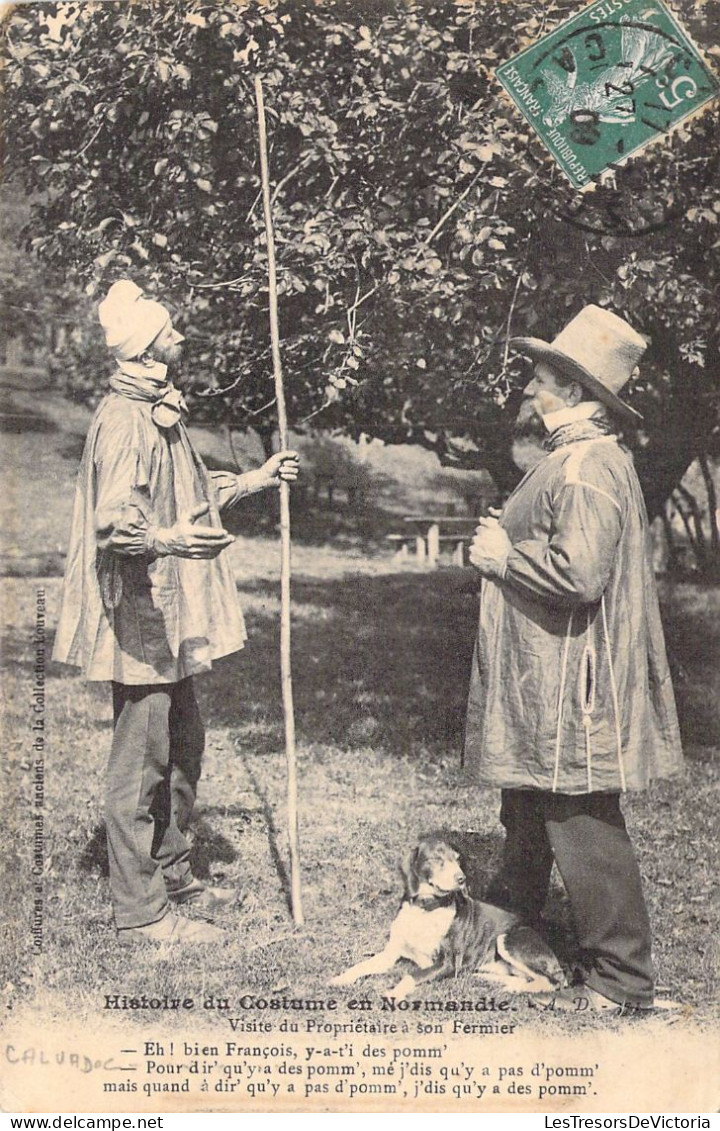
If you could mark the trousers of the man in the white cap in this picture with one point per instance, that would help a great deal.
(152, 784)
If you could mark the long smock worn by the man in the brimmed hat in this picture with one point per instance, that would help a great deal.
(570, 688)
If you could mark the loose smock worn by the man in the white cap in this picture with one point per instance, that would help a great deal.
(128, 616)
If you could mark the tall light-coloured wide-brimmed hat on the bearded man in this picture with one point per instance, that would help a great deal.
(596, 349)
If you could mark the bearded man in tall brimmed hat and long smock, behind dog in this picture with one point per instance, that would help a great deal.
(571, 702)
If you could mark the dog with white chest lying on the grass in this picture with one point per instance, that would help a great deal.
(444, 931)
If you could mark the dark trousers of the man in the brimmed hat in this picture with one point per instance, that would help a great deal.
(587, 838)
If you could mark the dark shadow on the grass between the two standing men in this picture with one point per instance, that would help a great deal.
(381, 662)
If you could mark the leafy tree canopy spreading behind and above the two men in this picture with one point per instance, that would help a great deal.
(419, 223)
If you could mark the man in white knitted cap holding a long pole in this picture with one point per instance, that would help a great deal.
(150, 601)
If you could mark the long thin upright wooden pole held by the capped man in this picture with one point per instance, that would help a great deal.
(285, 528)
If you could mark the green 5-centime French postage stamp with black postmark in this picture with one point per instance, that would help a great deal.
(606, 83)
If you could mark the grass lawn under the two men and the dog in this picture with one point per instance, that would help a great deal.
(381, 662)
